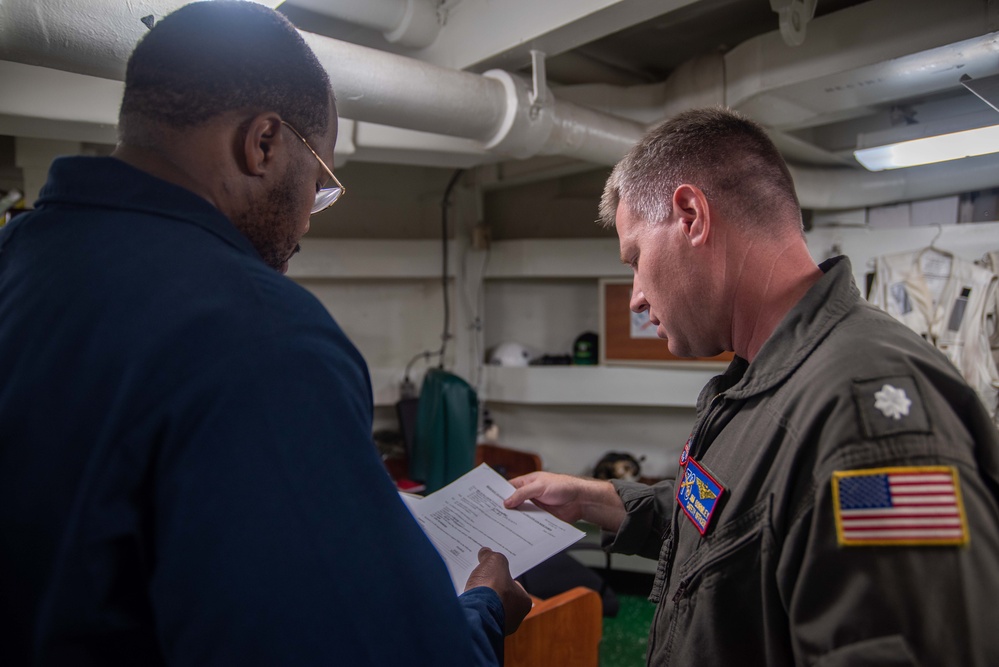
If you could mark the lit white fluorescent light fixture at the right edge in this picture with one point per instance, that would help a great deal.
(939, 148)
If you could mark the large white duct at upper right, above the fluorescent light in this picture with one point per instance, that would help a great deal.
(898, 49)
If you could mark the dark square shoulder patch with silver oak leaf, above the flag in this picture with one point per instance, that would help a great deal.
(890, 405)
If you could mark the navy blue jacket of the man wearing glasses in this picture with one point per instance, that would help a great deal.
(187, 474)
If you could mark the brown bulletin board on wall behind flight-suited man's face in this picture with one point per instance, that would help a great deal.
(630, 338)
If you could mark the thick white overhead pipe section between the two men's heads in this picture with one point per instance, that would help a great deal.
(494, 108)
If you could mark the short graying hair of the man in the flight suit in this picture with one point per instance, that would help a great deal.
(728, 156)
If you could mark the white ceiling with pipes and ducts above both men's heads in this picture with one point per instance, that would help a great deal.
(409, 73)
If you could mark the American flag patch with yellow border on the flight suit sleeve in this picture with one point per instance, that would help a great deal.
(899, 506)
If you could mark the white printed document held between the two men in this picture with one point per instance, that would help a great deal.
(468, 514)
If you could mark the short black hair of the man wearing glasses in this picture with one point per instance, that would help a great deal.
(208, 58)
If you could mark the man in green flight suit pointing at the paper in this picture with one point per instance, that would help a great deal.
(837, 502)
